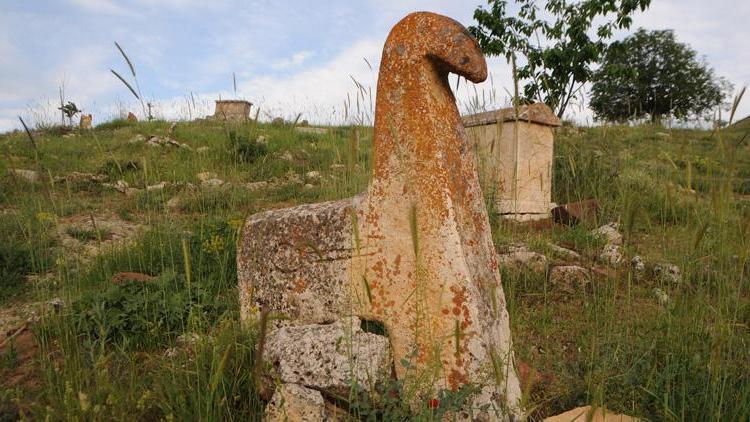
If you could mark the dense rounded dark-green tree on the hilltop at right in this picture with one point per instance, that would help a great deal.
(651, 74)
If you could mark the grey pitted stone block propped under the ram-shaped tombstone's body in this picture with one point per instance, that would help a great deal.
(329, 357)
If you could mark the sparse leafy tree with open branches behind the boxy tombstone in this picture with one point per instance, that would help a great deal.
(555, 54)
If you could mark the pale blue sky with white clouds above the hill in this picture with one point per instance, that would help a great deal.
(290, 57)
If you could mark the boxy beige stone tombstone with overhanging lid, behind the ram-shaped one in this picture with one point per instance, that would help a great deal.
(516, 158)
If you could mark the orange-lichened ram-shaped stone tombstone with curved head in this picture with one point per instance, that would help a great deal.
(414, 252)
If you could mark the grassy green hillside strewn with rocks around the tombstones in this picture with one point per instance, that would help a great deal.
(172, 348)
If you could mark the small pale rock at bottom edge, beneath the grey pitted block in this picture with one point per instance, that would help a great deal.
(295, 403)
